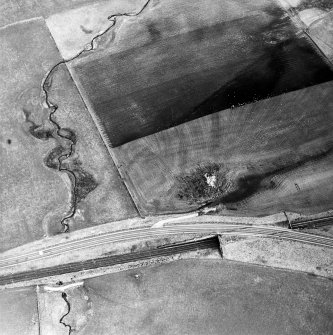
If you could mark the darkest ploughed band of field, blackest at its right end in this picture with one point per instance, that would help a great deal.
(173, 79)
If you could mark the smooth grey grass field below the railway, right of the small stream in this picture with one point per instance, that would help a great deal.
(209, 297)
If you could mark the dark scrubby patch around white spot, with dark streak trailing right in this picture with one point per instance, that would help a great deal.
(232, 188)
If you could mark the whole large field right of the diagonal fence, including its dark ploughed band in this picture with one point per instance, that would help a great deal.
(230, 107)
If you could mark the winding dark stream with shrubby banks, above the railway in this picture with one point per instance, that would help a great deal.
(67, 134)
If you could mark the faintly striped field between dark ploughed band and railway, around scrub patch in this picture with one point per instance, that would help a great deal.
(277, 154)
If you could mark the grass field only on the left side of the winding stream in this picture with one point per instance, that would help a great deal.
(30, 193)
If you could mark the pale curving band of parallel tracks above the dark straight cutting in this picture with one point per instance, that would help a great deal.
(155, 232)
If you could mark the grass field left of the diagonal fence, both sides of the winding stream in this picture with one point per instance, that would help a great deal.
(34, 195)
